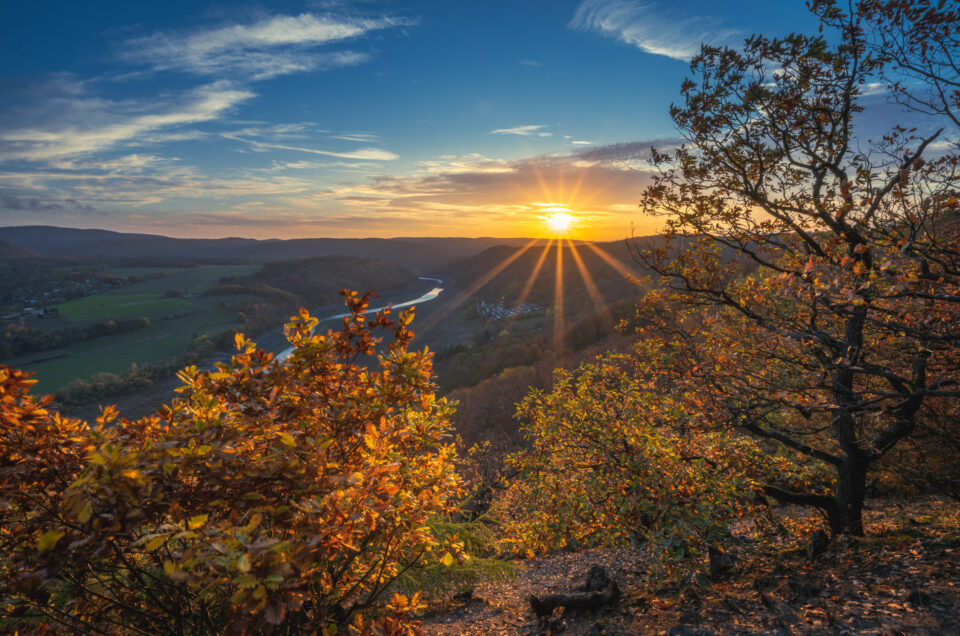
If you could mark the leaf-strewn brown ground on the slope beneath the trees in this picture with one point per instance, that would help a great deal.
(903, 577)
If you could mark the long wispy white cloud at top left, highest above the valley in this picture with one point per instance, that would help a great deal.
(279, 45)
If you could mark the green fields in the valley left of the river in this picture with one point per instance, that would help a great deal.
(173, 322)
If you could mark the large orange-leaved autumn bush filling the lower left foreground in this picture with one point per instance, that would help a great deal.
(270, 495)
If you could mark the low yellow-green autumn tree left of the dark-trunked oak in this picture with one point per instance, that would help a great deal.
(617, 456)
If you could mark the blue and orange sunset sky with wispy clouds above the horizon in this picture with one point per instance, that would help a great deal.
(348, 119)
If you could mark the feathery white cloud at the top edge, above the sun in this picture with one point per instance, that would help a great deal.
(650, 27)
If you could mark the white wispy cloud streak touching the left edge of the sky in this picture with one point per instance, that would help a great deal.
(71, 125)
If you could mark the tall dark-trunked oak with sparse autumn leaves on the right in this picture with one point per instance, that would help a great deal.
(824, 259)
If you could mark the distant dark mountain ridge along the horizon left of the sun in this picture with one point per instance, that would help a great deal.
(420, 254)
